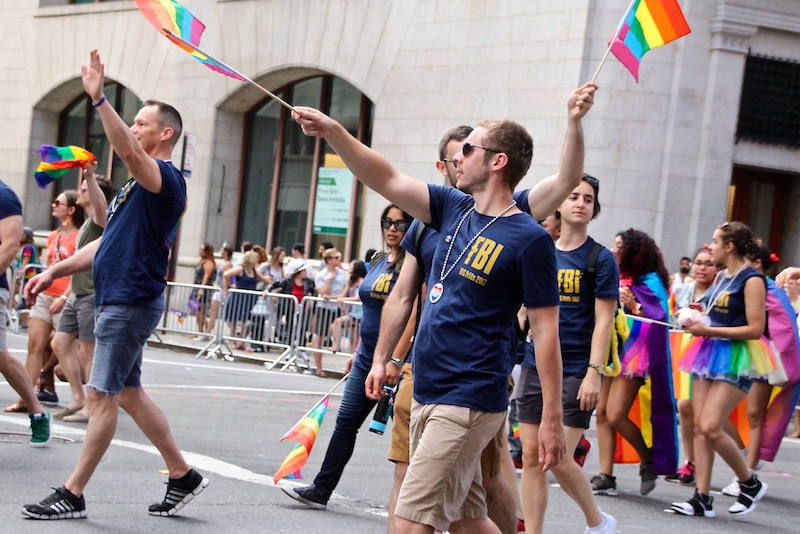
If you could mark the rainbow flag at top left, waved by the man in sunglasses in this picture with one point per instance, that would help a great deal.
(182, 28)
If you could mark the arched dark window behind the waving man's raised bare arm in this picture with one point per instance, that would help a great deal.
(80, 125)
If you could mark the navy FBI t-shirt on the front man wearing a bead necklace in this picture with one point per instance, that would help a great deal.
(464, 346)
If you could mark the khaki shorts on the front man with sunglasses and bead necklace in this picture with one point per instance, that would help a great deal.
(443, 482)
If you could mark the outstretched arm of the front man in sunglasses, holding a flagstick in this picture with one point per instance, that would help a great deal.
(369, 167)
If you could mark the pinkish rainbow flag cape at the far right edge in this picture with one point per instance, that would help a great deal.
(783, 332)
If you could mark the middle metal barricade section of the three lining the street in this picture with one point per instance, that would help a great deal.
(257, 324)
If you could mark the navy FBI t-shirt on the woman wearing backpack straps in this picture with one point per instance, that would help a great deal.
(576, 312)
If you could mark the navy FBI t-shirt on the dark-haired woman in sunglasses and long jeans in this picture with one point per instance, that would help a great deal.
(374, 291)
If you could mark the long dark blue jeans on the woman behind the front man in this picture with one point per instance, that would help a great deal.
(353, 411)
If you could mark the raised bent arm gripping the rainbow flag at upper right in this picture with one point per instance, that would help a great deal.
(546, 196)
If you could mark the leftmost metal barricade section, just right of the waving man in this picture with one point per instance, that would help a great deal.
(182, 306)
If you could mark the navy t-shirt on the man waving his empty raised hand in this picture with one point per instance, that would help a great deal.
(131, 263)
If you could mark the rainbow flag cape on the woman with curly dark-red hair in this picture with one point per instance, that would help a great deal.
(654, 409)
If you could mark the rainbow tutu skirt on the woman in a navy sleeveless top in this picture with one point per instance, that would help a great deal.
(727, 359)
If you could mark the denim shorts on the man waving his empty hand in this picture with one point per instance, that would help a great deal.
(120, 335)
